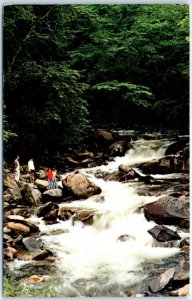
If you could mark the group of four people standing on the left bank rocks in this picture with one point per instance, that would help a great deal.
(51, 173)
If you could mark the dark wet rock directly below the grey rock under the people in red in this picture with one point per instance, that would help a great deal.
(49, 211)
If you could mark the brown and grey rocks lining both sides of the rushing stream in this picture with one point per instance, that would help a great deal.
(22, 239)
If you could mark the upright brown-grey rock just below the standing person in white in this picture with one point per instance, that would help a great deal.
(30, 195)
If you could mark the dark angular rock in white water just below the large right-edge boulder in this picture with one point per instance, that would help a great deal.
(163, 234)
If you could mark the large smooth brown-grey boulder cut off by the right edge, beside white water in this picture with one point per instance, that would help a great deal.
(169, 210)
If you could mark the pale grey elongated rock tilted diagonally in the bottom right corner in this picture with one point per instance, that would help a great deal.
(160, 282)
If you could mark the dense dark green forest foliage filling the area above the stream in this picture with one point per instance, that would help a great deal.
(67, 67)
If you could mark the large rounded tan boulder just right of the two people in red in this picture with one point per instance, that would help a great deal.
(79, 186)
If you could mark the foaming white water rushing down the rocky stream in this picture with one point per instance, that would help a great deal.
(92, 260)
